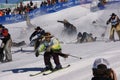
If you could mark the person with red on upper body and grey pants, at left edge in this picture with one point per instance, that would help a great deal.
(6, 42)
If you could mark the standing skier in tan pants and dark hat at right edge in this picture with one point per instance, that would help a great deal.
(115, 26)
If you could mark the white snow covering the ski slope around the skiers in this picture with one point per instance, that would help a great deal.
(26, 63)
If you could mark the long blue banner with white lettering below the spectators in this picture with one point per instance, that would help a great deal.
(8, 19)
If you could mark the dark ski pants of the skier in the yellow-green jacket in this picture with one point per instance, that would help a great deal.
(47, 57)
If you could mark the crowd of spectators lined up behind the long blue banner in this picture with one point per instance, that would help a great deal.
(22, 9)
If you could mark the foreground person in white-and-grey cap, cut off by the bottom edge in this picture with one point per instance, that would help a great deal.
(102, 71)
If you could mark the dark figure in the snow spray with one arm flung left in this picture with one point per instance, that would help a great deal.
(68, 27)
